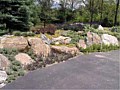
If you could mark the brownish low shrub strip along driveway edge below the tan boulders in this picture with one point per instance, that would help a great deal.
(54, 57)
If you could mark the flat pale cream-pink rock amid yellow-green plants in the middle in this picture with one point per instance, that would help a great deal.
(62, 40)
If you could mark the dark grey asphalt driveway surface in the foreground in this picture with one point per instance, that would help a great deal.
(93, 71)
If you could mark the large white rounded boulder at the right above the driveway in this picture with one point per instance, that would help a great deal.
(109, 39)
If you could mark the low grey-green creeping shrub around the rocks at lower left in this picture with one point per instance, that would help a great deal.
(15, 69)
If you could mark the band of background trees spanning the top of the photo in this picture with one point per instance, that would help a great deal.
(22, 14)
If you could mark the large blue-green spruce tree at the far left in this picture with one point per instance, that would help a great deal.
(14, 14)
